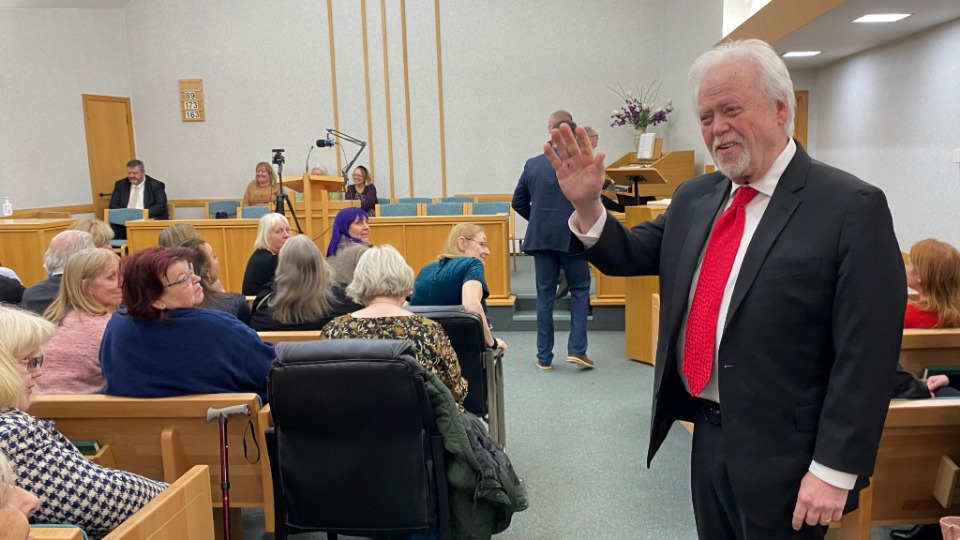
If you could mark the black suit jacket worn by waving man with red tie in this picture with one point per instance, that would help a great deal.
(808, 354)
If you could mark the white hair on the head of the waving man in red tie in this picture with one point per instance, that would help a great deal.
(773, 78)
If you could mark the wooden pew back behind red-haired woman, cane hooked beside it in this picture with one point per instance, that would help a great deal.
(163, 438)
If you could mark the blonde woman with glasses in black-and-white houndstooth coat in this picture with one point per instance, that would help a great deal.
(71, 488)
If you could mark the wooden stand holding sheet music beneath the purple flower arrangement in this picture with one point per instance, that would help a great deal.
(655, 177)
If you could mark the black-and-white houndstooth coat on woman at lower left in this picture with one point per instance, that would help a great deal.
(71, 488)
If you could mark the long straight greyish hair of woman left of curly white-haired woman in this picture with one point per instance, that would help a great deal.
(302, 283)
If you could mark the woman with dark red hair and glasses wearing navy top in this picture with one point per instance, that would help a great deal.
(161, 344)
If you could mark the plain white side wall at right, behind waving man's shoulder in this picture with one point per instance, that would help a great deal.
(890, 116)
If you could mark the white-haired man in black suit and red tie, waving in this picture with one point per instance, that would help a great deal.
(781, 306)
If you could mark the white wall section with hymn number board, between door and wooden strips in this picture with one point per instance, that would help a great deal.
(265, 80)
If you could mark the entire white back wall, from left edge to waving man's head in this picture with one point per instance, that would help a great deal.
(267, 84)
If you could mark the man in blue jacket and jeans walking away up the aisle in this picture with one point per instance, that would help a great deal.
(539, 200)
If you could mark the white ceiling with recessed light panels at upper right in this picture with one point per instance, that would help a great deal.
(837, 37)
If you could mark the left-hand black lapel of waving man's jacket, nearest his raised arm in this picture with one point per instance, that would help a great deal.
(703, 218)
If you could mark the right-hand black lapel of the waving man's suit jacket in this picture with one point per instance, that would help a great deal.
(782, 205)
